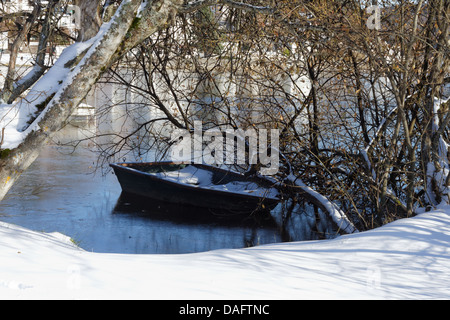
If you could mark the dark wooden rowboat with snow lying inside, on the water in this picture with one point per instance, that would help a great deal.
(197, 185)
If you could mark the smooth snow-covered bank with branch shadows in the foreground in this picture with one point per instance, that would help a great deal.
(408, 259)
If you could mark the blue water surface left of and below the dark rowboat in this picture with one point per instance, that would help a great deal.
(59, 193)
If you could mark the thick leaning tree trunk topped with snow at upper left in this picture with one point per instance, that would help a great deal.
(56, 95)
